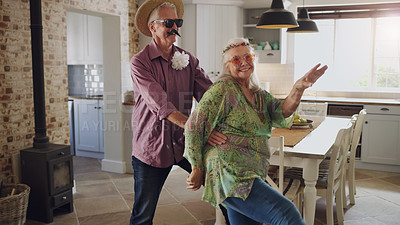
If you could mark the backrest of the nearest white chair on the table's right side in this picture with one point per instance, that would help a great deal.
(339, 156)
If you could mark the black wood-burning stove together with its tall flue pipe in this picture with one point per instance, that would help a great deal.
(46, 168)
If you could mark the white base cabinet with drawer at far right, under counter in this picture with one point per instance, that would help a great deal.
(381, 135)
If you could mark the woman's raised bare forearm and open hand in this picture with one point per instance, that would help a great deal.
(293, 99)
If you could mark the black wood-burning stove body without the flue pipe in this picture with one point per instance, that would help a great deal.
(49, 173)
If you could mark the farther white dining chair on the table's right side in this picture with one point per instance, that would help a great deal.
(350, 163)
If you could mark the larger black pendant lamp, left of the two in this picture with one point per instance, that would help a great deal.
(277, 17)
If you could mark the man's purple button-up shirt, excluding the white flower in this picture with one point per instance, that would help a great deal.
(159, 90)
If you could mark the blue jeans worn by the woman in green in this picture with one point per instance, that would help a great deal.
(263, 205)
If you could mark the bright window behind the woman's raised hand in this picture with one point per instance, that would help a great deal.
(363, 54)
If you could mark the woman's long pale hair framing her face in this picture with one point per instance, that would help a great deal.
(254, 82)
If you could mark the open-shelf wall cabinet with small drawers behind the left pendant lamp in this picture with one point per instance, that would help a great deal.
(257, 35)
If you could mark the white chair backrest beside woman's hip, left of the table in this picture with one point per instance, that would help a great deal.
(276, 144)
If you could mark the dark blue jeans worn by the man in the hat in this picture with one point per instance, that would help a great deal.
(148, 181)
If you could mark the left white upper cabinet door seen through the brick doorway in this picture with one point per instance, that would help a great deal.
(75, 38)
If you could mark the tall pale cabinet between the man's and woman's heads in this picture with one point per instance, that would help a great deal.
(210, 27)
